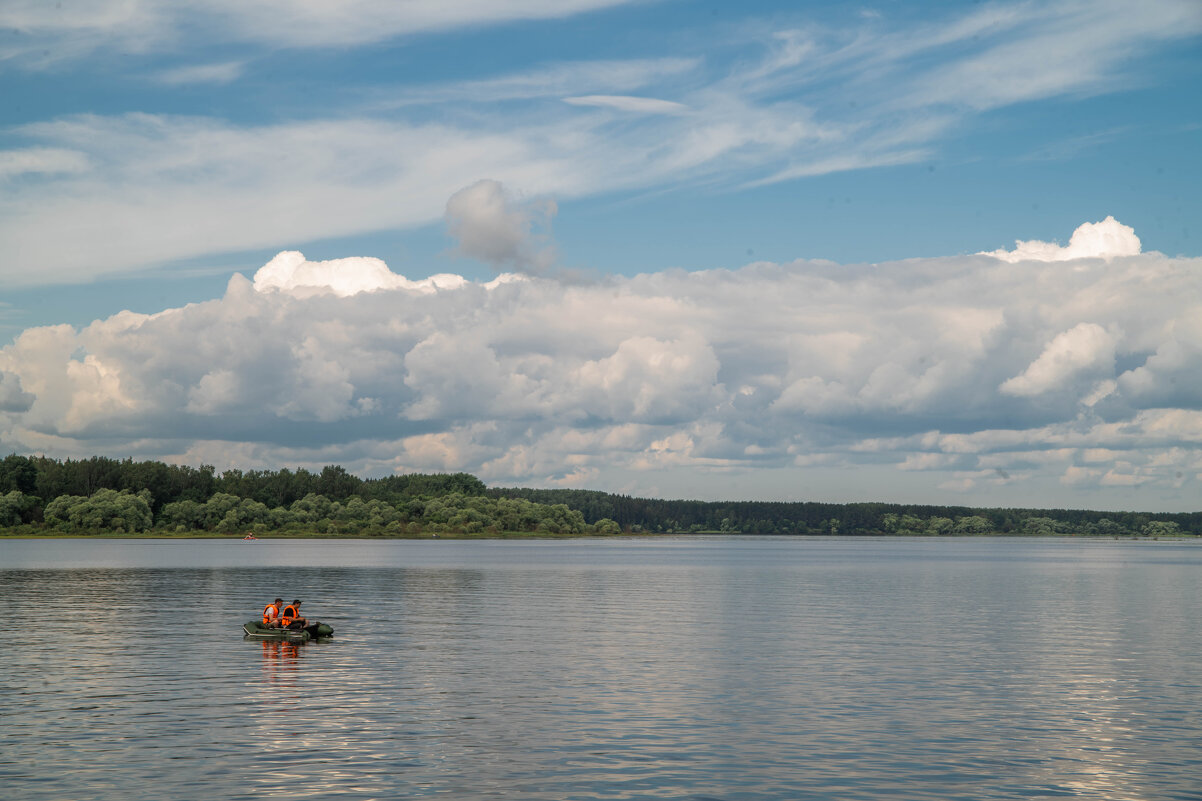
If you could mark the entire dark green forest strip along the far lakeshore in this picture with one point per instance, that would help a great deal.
(108, 496)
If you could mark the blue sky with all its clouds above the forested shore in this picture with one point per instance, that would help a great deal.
(939, 253)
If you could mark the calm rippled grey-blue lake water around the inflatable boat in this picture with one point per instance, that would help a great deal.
(618, 669)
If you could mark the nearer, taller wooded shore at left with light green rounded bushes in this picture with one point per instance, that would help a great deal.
(110, 496)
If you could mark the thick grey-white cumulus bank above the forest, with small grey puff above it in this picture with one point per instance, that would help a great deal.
(991, 376)
